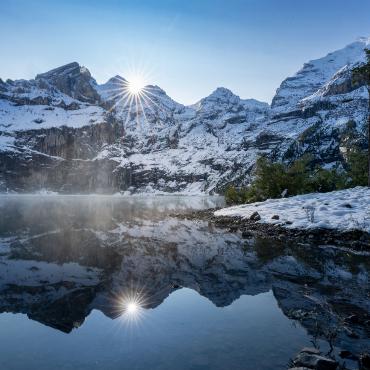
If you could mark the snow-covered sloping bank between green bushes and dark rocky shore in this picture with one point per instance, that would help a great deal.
(342, 210)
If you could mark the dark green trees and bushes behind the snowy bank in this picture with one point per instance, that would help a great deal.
(275, 180)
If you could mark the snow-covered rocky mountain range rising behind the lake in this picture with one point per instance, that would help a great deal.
(64, 132)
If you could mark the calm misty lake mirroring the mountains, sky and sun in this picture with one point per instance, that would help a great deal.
(95, 282)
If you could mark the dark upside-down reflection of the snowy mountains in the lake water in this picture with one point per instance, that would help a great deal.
(62, 257)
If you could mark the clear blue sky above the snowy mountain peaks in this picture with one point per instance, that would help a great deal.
(188, 47)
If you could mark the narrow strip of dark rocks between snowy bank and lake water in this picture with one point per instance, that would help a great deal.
(355, 240)
